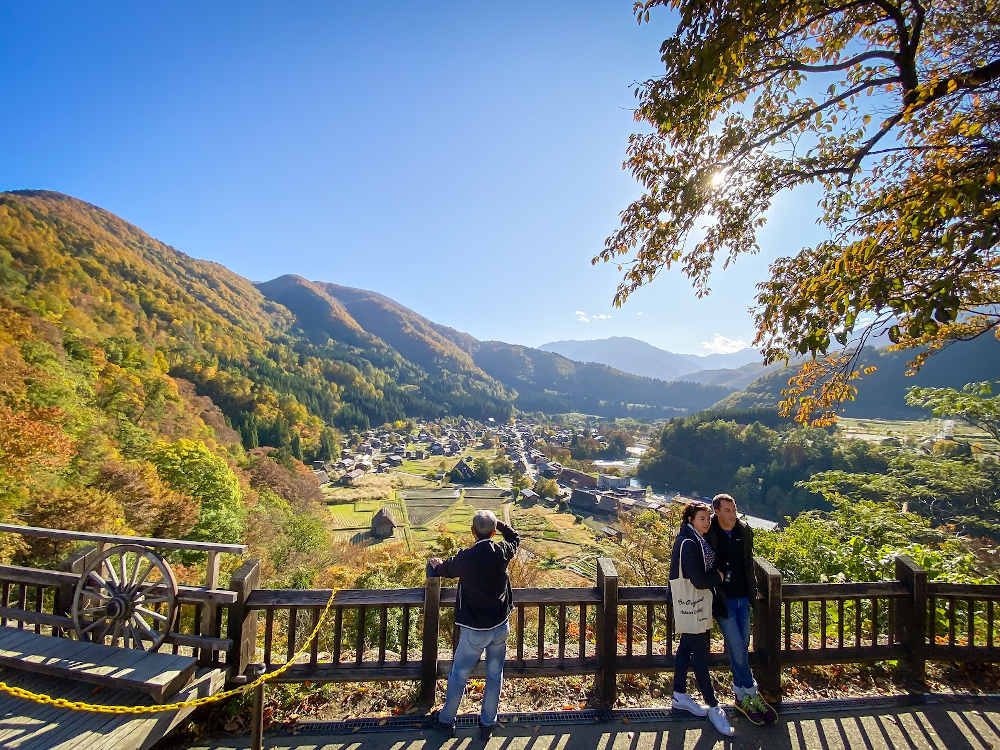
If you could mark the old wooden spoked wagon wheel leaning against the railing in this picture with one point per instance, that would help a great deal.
(129, 594)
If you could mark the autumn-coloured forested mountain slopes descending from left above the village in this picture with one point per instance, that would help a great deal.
(286, 360)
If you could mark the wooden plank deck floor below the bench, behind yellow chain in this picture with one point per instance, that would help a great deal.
(30, 726)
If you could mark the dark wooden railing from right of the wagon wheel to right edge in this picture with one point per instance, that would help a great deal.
(606, 630)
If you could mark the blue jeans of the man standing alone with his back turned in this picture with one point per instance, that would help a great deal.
(471, 644)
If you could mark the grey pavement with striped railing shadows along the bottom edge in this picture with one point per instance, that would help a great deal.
(940, 724)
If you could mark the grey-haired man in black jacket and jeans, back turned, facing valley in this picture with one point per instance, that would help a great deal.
(482, 609)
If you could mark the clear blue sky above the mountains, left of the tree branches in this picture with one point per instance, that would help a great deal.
(463, 159)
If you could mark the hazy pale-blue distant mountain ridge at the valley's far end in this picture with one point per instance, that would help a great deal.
(641, 358)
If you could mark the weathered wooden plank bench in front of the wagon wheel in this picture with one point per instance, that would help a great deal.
(157, 675)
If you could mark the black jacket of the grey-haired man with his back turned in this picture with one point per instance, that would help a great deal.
(485, 599)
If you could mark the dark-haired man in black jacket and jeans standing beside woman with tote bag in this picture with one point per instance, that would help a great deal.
(732, 541)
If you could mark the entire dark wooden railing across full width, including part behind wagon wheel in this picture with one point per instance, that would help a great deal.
(603, 630)
